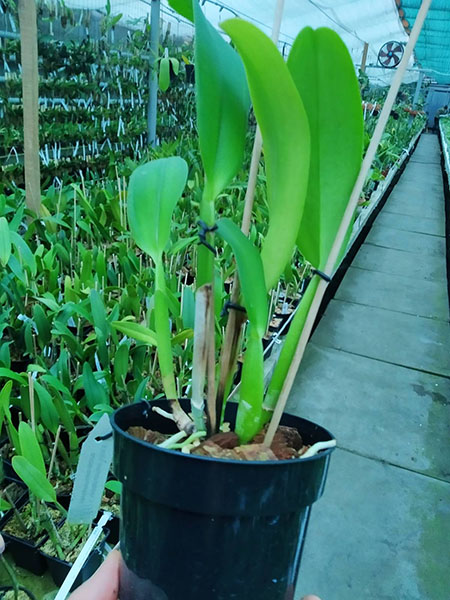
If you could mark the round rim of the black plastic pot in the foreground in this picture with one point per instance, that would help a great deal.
(208, 459)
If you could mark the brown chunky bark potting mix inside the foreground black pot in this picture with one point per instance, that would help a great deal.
(287, 444)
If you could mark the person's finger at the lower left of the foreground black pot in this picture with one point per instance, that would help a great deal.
(104, 584)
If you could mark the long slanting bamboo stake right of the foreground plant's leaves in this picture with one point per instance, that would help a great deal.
(346, 220)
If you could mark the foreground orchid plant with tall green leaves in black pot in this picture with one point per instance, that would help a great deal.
(216, 502)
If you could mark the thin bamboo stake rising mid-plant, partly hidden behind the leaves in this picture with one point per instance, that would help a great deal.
(236, 318)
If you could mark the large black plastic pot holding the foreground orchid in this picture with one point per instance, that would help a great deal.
(198, 528)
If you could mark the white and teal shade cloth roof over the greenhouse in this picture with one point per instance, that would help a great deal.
(357, 21)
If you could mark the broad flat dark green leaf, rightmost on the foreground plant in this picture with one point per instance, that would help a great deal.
(330, 93)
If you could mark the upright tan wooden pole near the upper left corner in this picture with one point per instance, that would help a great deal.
(30, 93)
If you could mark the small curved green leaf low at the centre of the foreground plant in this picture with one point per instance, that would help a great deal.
(251, 274)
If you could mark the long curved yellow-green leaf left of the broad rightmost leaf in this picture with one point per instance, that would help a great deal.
(285, 131)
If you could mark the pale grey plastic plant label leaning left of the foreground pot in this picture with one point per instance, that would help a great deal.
(92, 472)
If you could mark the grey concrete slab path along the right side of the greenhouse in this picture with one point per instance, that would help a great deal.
(377, 374)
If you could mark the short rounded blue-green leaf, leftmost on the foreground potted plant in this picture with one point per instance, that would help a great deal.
(153, 192)
